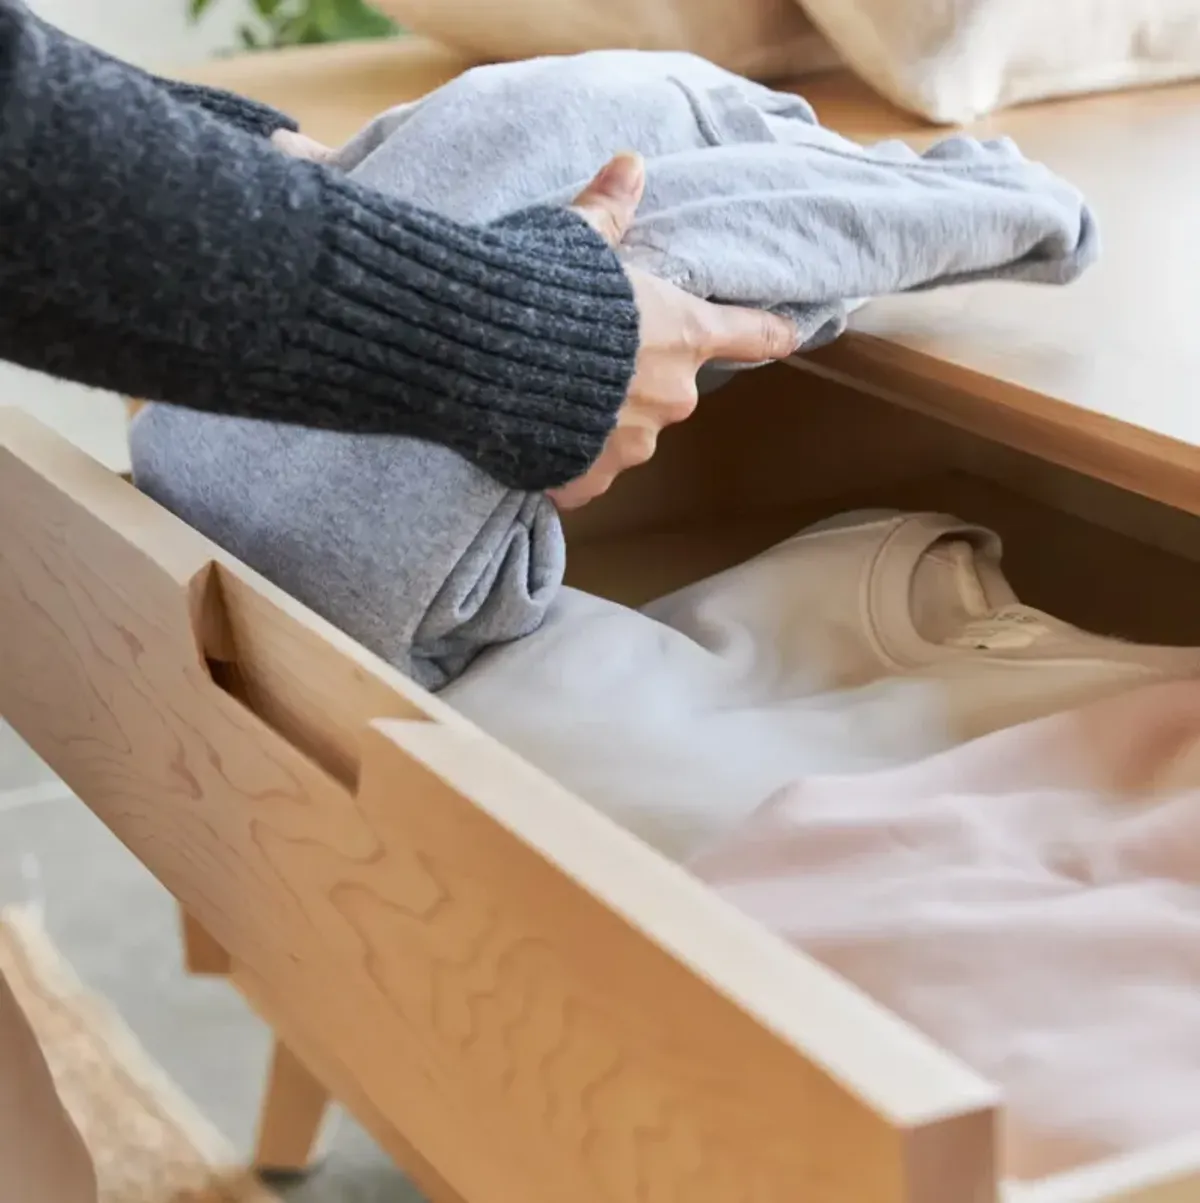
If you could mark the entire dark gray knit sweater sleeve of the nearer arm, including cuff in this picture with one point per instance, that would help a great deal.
(155, 248)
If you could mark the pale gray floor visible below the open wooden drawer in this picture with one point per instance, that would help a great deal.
(118, 928)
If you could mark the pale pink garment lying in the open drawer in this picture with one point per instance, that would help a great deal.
(1031, 900)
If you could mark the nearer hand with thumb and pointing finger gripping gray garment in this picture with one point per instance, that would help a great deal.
(679, 334)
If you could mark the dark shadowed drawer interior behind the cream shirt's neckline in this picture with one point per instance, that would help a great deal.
(779, 449)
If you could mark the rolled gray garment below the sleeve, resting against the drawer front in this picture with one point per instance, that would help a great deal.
(419, 555)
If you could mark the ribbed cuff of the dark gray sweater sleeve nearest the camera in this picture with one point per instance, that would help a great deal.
(520, 340)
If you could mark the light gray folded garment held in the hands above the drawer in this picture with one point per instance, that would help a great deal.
(748, 198)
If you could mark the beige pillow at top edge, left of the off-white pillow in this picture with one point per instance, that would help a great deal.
(762, 39)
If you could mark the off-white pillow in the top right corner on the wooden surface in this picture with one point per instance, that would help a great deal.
(955, 61)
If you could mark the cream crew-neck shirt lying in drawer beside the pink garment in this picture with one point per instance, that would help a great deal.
(863, 643)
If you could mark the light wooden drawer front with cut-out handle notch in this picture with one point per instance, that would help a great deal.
(536, 1003)
